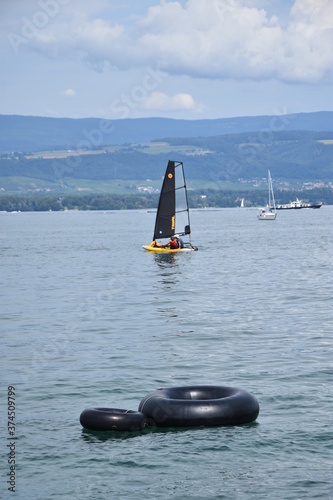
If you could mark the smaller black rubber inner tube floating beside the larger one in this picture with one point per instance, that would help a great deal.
(112, 419)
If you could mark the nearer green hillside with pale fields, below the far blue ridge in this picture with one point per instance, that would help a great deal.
(294, 158)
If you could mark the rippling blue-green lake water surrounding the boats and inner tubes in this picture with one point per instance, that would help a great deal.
(88, 318)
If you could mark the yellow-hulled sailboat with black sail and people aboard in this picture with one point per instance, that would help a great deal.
(173, 217)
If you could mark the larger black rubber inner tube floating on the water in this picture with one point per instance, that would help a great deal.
(199, 405)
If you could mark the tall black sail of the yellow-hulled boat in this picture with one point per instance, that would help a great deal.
(166, 211)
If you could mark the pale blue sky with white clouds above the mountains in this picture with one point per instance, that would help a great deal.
(185, 59)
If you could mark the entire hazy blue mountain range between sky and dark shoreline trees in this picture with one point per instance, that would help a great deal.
(51, 155)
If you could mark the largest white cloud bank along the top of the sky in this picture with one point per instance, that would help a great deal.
(219, 39)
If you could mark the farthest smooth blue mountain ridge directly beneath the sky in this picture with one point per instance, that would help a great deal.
(32, 133)
